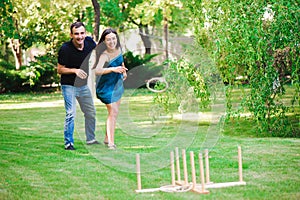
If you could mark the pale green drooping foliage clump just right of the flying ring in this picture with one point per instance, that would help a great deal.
(186, 90)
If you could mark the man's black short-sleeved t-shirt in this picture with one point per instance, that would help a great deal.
(71, 57)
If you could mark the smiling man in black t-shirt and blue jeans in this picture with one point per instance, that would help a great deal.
(73, 68)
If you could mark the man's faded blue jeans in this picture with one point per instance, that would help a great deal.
(85, 100)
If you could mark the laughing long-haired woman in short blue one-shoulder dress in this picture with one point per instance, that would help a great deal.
(111, 72)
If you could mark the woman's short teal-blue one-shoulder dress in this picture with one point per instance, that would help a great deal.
(109, 87)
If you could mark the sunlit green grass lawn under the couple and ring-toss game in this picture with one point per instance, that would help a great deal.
(34, 164)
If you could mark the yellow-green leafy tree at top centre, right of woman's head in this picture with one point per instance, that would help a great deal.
(125, 14)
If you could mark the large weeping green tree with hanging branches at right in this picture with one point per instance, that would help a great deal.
(259, 40)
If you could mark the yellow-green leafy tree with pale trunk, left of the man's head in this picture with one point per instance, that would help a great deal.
(33, 22)
